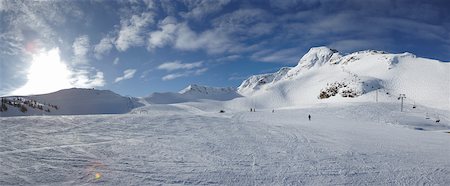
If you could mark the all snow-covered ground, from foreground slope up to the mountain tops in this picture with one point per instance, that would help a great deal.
(181, 138)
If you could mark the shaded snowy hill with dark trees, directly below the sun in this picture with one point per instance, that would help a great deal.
(73, 101)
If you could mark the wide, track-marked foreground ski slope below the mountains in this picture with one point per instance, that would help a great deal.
(190, 145)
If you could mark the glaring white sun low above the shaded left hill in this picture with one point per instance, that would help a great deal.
(47, 73)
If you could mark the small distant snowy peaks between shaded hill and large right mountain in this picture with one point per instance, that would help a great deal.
(193, 93)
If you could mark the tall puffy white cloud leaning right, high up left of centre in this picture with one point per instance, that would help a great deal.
(131, 31)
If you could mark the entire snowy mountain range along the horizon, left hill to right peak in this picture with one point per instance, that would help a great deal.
(323, 75)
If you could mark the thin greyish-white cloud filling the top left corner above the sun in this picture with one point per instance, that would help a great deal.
(37, 19)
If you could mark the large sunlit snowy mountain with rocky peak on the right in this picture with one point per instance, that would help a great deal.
(325, 76)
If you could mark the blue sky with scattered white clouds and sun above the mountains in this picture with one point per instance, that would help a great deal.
(138, 47)
